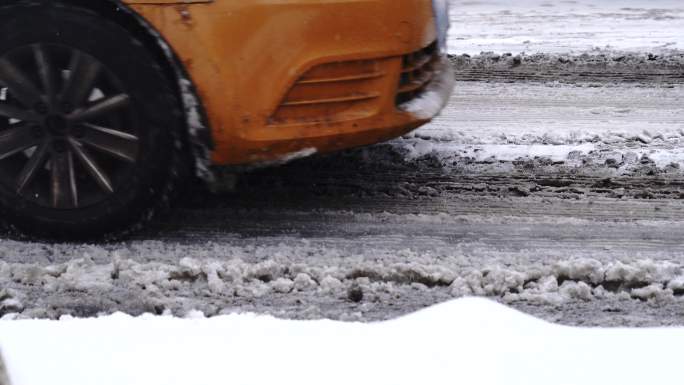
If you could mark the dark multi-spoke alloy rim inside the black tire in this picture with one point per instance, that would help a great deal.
(68, 136)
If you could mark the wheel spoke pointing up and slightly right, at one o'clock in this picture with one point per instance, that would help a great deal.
(82, 74)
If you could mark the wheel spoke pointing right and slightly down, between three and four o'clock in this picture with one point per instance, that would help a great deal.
(117, 143)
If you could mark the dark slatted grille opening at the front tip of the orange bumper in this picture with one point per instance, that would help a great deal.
(416, 73)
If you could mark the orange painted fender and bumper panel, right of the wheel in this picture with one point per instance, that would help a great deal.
(246, 58)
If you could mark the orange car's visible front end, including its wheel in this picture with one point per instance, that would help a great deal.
(106, 106)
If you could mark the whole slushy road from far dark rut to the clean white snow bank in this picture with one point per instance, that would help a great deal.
(562, 200)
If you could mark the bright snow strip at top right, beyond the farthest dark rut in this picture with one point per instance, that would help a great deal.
(553, 26)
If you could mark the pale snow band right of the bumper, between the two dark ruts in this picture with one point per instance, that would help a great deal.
(564, 123)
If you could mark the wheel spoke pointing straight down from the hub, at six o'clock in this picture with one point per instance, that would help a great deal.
(63, 186)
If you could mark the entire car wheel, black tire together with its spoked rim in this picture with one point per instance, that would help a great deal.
(66, 198)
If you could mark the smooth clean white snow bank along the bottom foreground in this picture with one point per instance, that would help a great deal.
(469, 341)
